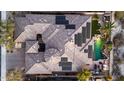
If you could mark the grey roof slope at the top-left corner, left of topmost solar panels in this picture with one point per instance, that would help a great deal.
(21, 22)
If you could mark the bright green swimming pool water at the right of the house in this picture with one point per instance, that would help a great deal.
(98, 44)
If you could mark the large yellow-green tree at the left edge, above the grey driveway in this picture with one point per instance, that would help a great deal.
(6, 33)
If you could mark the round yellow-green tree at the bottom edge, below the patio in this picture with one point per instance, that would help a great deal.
(84, 75)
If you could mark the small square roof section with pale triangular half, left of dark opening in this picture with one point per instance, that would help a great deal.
(31, 46)
